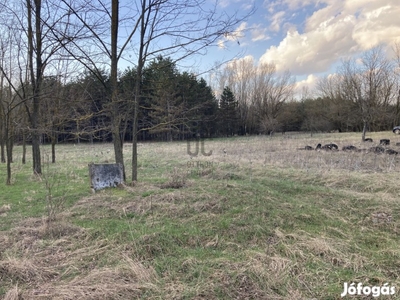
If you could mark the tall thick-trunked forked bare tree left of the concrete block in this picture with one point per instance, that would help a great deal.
(31, 24)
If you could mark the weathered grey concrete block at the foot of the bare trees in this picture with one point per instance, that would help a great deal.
(105, 175)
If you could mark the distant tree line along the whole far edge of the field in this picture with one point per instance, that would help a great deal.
(177, 105)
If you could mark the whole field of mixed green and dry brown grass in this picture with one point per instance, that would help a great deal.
(257, 219)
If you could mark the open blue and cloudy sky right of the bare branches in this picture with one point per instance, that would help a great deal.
(309, 37)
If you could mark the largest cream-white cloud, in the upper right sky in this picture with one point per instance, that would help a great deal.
(341, 28)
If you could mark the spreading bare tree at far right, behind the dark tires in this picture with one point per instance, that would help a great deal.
(363, 89)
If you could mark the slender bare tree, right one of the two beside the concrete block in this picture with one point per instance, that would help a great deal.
(178, 29)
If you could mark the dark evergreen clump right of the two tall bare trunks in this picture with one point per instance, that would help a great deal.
(176, 105)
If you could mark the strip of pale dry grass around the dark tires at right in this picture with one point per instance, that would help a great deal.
(283, 151)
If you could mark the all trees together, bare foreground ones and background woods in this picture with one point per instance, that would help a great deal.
(60, 80)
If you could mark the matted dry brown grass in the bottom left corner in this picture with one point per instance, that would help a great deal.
(65, 265)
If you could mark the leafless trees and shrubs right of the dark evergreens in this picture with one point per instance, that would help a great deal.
(362, 95)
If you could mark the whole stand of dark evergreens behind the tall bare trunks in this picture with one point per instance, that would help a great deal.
(172, 105)
